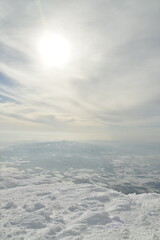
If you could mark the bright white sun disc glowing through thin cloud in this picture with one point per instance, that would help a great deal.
(53, 50)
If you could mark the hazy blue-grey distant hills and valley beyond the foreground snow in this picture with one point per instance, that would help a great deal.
(124, 168)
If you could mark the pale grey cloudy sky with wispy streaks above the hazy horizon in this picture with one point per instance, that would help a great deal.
(107, 89)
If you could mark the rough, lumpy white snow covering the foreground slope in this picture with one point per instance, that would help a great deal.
(51, 205)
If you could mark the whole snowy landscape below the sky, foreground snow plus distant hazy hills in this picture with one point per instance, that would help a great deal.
(78, 201)
